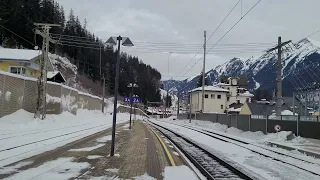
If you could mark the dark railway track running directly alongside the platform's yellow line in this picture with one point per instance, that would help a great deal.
(212, 166)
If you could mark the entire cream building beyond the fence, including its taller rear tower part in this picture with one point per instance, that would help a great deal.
(218, 98)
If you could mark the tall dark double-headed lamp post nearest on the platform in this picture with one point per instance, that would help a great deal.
(112, 41)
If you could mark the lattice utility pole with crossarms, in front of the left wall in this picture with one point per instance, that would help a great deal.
(42, 79)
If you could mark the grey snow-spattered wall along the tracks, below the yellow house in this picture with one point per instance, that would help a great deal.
(19, 92)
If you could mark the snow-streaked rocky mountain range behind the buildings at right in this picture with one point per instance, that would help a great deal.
(300, 68)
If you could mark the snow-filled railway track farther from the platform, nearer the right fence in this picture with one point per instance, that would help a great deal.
(247, 145)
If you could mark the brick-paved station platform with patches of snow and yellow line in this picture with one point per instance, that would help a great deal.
(140, 152)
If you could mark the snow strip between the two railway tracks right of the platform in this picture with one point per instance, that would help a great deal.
(266, 167)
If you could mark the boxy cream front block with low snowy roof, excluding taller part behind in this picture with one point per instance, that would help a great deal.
(215, 99)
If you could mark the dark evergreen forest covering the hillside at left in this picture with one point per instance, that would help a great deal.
(18, 16)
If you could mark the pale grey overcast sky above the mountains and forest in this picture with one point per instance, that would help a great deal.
(151, 23)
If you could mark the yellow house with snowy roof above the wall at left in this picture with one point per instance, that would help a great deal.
(22, 61)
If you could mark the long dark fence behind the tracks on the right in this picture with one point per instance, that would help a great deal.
(300, 125)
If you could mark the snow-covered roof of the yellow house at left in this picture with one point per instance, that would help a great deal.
(18, 54)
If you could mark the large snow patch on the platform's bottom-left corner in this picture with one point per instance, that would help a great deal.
(62, 168)
